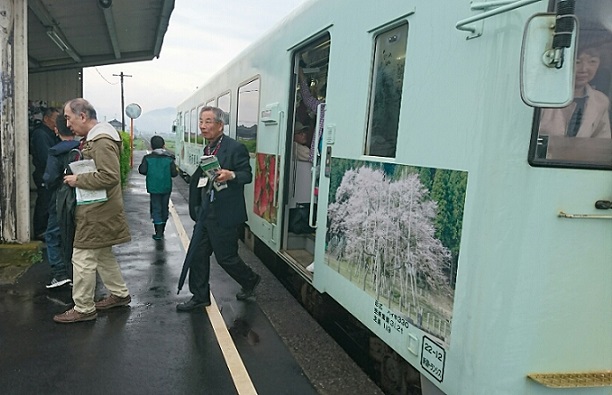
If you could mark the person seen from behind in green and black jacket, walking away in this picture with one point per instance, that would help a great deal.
(159, 167)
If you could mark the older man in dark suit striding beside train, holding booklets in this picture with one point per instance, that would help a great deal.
(218, 213)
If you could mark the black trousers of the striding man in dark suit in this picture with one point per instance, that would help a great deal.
(208, 237)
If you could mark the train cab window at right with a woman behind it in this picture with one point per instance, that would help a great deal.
(579, 135)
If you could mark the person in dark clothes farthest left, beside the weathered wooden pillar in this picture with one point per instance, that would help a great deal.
(42, 138)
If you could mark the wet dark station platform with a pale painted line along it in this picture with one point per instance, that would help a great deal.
(266, 345)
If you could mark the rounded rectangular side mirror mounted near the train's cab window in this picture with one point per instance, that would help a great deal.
(547, 68)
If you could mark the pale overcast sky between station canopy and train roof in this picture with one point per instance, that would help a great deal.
(201, 38)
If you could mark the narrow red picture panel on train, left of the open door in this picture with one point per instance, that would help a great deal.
(265, 187)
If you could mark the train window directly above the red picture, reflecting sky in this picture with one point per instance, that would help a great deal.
(248, 115)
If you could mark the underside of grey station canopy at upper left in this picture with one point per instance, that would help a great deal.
(66, 34)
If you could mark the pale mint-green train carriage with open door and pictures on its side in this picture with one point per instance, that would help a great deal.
(424, 208)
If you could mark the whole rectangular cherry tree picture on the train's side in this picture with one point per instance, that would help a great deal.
(394, 231)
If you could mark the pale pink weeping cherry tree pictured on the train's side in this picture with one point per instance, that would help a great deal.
(382, 234)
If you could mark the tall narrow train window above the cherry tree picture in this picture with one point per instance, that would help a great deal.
(386, 92)
